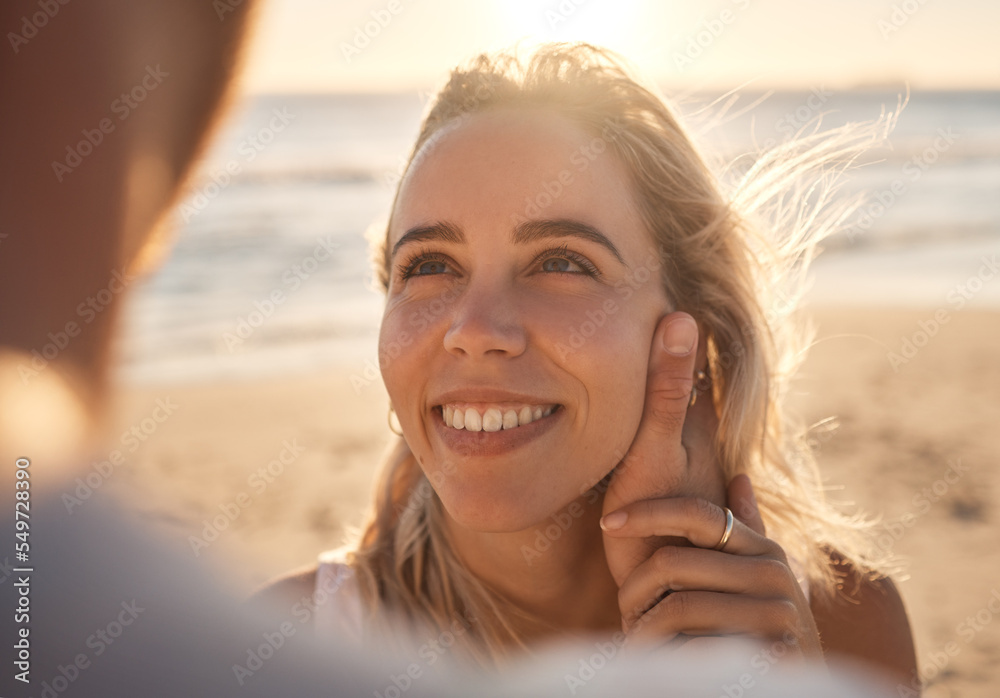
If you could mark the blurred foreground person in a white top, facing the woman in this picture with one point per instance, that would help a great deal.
(95, 604)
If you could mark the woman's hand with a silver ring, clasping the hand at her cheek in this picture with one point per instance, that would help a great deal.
(747, 588)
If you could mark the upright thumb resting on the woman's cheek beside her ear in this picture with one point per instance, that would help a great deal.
(671, 376)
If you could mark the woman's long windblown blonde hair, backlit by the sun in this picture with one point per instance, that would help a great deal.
(734, 260)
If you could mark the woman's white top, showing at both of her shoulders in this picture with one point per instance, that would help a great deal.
(339, 607)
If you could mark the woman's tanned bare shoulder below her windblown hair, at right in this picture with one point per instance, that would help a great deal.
(865, 619)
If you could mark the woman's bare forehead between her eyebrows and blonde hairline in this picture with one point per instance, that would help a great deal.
(490, 171)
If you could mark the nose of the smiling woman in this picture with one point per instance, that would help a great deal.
(485, 321)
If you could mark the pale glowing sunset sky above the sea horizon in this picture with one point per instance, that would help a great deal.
(398, 45)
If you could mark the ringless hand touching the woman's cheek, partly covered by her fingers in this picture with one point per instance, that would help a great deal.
(673, 452)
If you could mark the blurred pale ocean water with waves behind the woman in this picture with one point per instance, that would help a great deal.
(269, 270)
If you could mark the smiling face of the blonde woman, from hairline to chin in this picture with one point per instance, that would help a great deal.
(523, 297)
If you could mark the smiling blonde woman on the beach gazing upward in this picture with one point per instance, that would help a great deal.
(580, 323)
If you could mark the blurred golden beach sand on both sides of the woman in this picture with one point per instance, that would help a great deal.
(930, 425)
